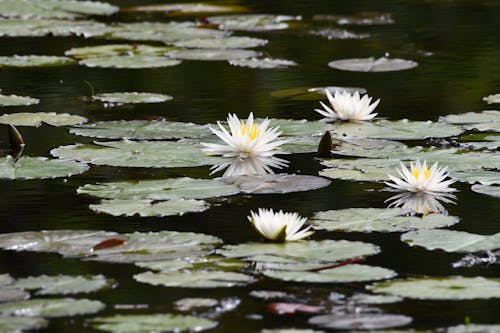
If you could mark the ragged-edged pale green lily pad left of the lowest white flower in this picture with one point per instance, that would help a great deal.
(143, 208)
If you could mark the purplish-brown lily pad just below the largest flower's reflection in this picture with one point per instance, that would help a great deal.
(276, 183)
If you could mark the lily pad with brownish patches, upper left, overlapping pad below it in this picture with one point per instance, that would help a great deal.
(110, 50)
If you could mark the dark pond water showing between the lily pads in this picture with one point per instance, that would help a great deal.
(457, 46)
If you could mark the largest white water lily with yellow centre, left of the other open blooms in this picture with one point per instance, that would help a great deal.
(245, 139)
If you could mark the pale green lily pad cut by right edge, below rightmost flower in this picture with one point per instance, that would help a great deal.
(451, 240)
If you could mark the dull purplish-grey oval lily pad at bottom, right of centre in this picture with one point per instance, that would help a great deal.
(361, 321)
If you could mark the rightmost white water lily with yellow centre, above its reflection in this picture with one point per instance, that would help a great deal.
(420, 178)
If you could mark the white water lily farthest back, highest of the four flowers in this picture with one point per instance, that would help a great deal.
(348, 107)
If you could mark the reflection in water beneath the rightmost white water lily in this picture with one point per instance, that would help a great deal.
(421, 202)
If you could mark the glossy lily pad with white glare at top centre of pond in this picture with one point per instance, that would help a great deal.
(253, 22)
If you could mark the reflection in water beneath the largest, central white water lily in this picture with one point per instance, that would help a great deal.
(250, 165)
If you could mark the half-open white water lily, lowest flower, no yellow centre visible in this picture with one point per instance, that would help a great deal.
(279, 226)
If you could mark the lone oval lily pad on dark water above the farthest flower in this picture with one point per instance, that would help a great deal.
(373, 65)
